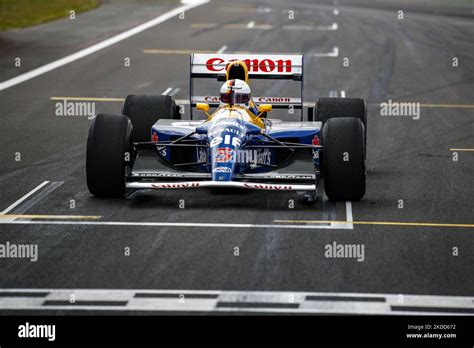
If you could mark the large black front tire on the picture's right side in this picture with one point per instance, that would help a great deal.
(344, 159)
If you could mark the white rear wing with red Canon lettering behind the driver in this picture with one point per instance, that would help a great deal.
(260, 66)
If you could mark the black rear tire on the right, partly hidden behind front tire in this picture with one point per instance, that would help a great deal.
(327, 108)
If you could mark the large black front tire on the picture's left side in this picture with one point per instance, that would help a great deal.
(109, 153)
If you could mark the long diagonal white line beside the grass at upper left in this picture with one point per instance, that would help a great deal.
(101, 45)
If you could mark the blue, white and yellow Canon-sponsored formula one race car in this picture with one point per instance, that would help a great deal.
(148, 146)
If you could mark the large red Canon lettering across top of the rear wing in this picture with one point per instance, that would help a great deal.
(253, 65)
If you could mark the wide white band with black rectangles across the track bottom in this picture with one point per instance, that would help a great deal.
(235, 301)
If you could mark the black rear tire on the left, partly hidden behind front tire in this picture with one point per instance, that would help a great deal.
(145, 110)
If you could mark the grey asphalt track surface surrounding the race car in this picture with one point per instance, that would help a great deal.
(280, 249)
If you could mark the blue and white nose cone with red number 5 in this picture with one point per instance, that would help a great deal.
(225, 139)
